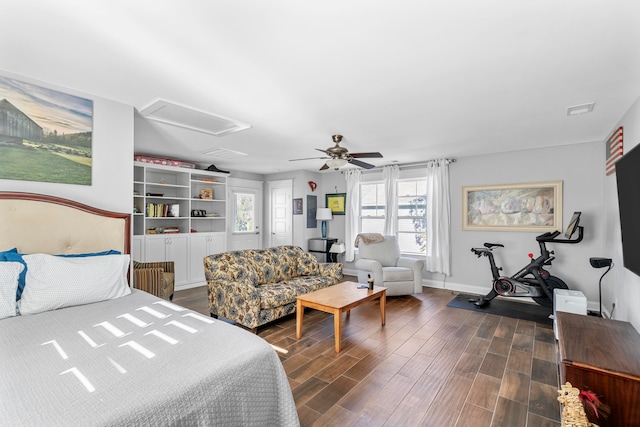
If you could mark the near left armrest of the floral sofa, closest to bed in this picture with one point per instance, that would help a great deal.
(237, 301)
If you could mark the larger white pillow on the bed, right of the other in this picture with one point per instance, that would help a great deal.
(54, 282)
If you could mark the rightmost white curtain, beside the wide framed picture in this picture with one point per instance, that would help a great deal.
(438, 251)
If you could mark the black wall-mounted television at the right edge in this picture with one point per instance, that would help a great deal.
(628, 180)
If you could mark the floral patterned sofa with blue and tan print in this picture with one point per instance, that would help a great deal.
(256, 286)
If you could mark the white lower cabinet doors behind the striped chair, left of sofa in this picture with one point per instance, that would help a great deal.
(170, 248)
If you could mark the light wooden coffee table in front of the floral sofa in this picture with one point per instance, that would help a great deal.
(337, 299)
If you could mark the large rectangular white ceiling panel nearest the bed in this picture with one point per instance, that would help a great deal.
(178, 115)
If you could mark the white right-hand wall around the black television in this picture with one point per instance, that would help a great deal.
(620, 285)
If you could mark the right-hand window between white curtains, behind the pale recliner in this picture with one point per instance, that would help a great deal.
(412, 220)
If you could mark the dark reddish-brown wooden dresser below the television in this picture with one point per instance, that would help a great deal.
(602, 355)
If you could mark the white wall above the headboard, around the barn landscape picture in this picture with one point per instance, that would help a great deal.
(112, 157)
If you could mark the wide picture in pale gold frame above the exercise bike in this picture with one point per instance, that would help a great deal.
(535, 206)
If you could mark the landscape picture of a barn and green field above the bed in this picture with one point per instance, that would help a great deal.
(45, 135)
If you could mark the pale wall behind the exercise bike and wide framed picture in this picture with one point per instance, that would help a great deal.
(580, 167)
